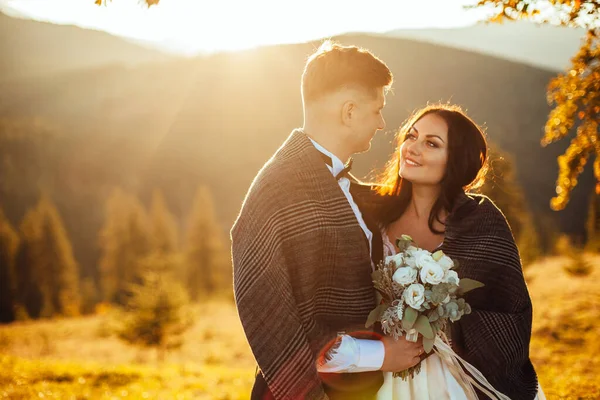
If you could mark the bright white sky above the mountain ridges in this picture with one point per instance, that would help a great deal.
(198, 26)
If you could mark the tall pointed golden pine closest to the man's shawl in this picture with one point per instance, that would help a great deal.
(206, 254)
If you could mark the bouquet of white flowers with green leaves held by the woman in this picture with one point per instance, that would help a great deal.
(420, 292)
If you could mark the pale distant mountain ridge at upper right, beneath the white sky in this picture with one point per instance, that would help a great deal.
(542, 46)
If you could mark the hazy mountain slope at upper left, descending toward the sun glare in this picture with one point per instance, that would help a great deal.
(32, 48)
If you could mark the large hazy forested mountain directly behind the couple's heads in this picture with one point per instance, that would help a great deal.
(216, 120)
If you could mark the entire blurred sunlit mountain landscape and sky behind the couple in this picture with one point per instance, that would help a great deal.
(130, 132)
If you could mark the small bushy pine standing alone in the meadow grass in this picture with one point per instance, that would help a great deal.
(156, 314)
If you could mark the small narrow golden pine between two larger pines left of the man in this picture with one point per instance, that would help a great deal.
(164, 227)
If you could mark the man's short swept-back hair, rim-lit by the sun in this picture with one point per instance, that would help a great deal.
(334, 66)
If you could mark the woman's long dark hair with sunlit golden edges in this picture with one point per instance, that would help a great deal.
(465, 170)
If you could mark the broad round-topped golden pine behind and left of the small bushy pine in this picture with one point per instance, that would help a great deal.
(124, 241)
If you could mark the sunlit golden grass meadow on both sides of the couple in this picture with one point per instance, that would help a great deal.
(79, 358)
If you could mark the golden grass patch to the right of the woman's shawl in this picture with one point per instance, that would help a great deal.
(565, 346)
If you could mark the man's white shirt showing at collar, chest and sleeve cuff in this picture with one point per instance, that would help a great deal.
(352, 355)
